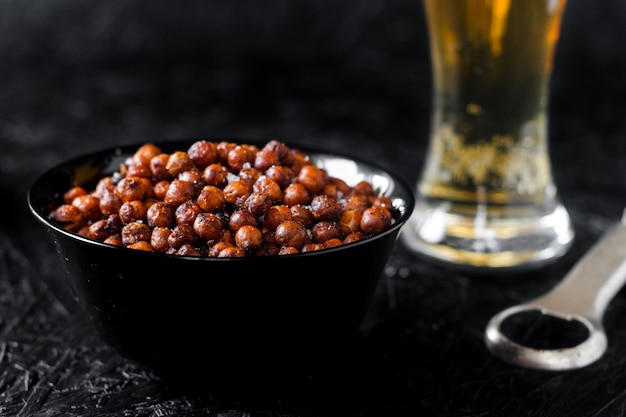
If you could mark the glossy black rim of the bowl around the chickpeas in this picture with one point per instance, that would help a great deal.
(127, 149)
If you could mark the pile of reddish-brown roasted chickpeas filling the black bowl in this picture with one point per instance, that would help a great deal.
(224, 199)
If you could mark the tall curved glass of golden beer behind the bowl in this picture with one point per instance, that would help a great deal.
(486, 196)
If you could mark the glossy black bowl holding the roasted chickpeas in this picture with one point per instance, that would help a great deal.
(224, 318)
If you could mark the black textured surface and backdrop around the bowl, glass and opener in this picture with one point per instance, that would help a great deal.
(348, 75)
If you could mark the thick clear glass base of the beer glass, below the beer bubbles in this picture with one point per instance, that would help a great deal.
(524, 239)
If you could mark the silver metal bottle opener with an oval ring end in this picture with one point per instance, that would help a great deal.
(579, 299)
